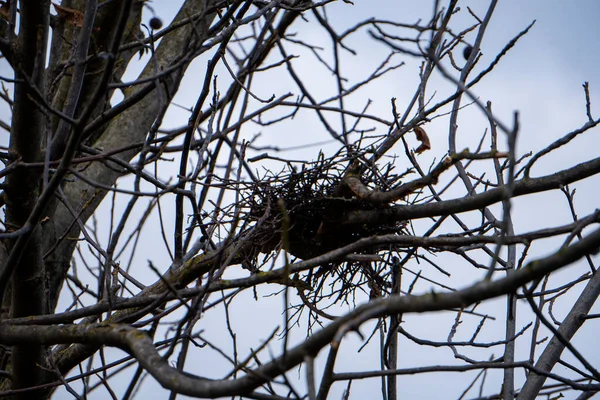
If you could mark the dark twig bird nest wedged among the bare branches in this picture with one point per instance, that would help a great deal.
(306, 211)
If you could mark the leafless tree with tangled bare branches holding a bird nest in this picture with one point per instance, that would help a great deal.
(203, 217)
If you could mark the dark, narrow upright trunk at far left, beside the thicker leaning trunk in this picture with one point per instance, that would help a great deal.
(23, 187)
